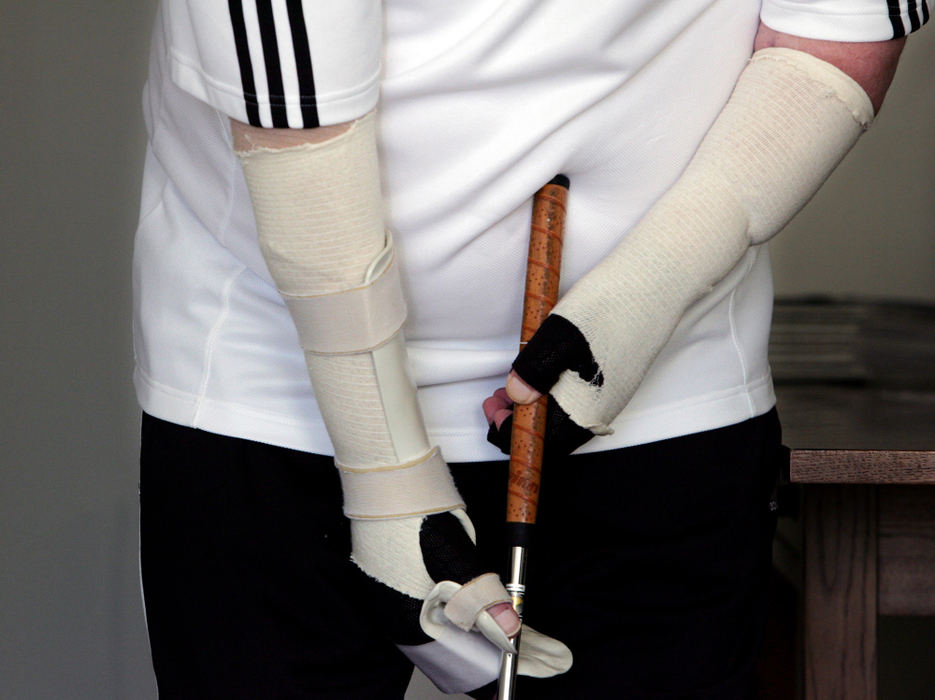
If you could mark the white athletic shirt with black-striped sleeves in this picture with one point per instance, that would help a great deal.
(479, 104)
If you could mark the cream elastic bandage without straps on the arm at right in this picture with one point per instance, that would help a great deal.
(789, 121)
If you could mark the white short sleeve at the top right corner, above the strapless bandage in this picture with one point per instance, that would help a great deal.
(846, 20)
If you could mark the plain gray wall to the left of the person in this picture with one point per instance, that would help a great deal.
(72, 142)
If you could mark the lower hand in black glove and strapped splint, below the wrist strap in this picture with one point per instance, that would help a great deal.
(440, 606)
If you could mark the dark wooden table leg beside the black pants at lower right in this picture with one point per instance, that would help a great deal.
(840, 524)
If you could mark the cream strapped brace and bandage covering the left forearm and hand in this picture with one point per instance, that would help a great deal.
(319, 215)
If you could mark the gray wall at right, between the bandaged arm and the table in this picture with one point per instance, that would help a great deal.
(871, 228)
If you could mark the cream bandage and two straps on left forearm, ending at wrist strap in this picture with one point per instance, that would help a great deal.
(318, 211)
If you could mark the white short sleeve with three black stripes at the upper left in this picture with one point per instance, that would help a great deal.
(278, 63)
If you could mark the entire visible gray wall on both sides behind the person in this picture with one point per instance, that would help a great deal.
(71, 623)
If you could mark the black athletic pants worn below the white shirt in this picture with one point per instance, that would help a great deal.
(651, 563)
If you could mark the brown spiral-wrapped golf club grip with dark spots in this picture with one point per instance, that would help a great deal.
(542, 277)
